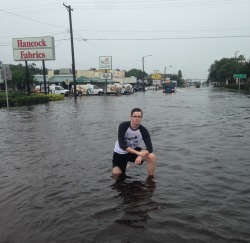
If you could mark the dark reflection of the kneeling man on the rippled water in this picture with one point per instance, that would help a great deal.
(136, 201)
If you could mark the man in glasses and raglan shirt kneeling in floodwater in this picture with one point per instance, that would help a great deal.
(130, 134)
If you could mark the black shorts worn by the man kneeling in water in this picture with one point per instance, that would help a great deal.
(121, 160)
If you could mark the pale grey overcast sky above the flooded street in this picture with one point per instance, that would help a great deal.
(188, 35)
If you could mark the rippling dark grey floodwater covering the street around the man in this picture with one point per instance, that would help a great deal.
(55, 170)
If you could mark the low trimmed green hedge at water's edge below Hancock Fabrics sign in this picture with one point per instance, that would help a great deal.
(16, 99)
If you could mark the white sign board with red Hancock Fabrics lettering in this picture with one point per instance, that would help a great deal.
(33, 48)
